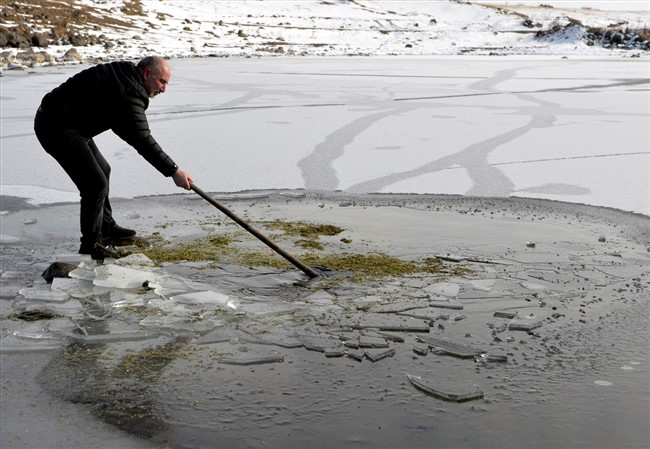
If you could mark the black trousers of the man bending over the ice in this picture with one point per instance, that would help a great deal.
(85, 165)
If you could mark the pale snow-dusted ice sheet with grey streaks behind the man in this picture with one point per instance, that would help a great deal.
(572, 130)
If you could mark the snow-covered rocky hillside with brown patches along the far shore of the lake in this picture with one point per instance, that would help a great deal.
(49, 31)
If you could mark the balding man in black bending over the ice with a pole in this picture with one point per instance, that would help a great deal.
(108, 96)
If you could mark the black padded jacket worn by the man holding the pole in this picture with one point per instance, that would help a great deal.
(108, 96)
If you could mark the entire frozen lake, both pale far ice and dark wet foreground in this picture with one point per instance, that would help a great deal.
(572, 130)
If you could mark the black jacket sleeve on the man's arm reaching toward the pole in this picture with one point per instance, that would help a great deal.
(132, 127)
